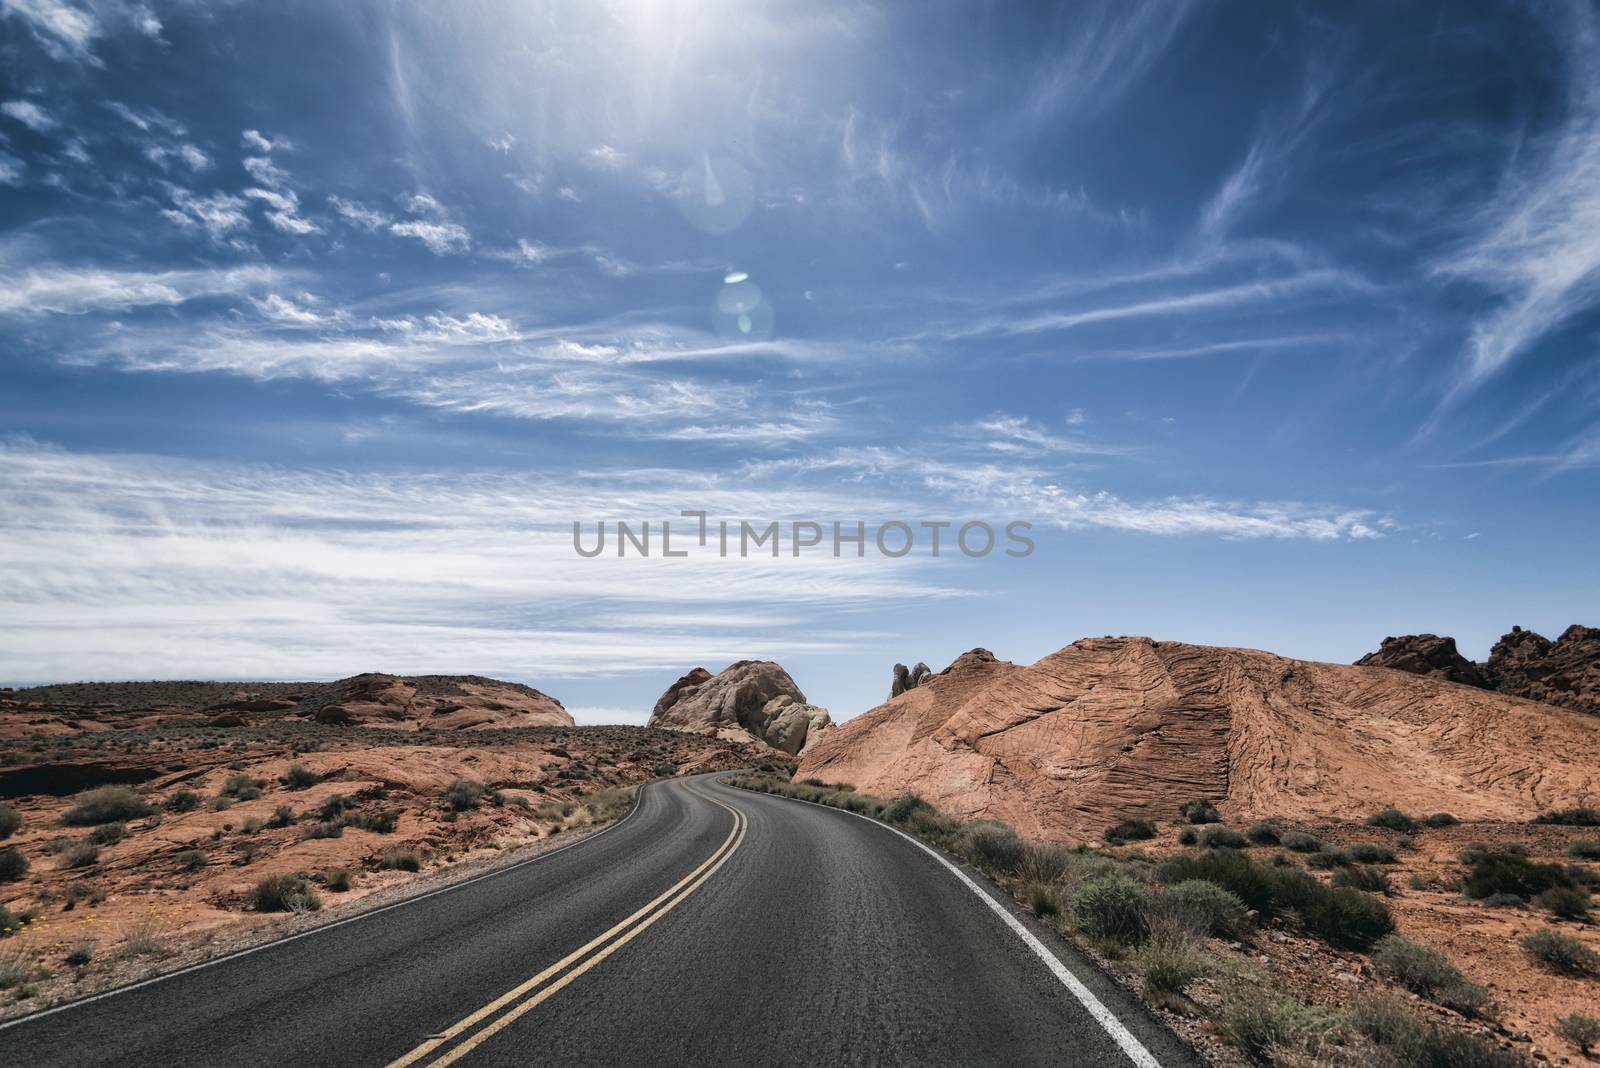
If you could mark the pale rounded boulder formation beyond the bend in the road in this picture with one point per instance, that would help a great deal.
(751, 699)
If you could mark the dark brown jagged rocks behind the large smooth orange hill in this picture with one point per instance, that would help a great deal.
(1524, 664)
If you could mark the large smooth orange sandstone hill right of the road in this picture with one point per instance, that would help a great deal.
(1114, 728)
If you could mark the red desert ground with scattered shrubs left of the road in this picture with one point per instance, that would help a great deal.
(183, 875)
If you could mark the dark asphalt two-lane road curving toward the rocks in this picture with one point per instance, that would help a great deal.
(713, 927)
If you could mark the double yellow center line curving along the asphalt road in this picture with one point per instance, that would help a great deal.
(502, 1013)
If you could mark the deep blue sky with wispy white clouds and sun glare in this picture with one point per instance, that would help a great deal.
(321, 324)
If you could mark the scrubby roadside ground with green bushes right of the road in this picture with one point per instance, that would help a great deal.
(1279, 942)
